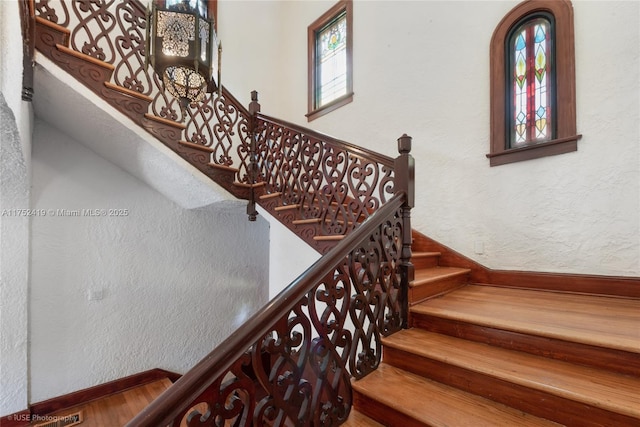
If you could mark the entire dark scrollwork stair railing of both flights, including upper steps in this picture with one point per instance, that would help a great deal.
(292, 363)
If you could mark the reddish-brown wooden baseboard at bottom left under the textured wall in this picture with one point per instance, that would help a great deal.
(23, 418)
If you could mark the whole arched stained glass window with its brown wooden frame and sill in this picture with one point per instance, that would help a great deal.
(533, 92)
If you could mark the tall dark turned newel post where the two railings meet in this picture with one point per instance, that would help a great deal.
(404, 169)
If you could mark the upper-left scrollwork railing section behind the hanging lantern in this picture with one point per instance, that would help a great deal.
(114, 31)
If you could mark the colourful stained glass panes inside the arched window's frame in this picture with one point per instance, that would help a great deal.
(530, 65)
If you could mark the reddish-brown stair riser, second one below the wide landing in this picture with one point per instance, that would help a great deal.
(532, 401)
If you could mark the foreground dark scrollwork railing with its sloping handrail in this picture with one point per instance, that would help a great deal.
(291, 363)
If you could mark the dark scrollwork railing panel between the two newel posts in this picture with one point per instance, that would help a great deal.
(326, 181)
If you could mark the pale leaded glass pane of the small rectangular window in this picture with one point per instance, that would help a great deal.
(332, 61)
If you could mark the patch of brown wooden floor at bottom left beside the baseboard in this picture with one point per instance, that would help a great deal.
(119, 408)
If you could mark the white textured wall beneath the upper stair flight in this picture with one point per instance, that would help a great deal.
(169, 284)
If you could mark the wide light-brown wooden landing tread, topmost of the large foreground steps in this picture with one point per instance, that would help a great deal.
(587, 319)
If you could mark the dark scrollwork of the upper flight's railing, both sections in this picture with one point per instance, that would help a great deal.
(330, 185)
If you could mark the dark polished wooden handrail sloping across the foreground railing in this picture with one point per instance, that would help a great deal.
(171, 403)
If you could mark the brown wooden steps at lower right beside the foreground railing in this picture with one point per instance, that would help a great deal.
(481, 355)
